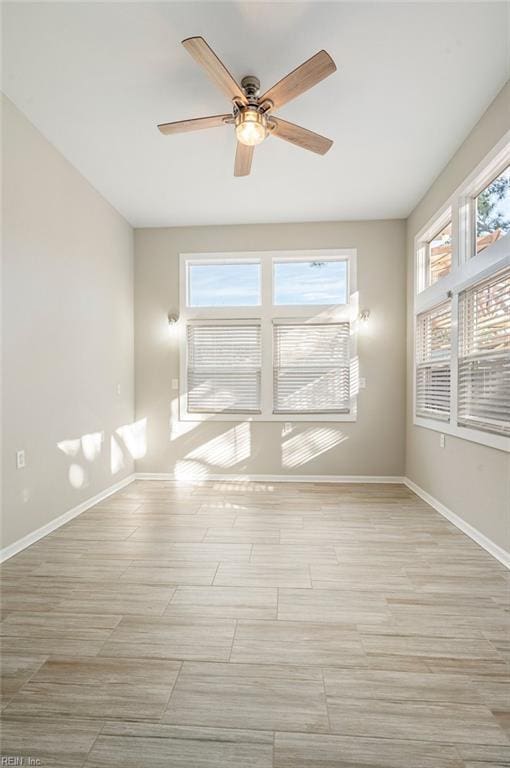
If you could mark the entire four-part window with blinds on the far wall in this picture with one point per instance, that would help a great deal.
(268, 336)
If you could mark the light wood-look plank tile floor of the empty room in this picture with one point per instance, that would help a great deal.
(256, 625)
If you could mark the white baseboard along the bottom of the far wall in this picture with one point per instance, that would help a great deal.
(169, 477)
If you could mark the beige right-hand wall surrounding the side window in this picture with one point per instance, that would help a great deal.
(471, 480)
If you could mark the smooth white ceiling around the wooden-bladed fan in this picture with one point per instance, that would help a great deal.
(412, 80)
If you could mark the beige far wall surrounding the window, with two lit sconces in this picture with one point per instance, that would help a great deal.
(374, 445)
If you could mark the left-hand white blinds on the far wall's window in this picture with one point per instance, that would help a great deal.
(224, 363)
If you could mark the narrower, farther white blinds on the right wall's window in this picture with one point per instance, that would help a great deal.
(433, 362)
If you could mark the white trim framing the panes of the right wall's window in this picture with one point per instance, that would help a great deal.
(467, 268)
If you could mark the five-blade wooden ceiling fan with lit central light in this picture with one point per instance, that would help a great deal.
(252, 113)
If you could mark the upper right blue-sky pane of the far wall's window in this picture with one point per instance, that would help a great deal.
(310, 282)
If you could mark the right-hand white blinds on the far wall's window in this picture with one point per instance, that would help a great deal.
(311, 368)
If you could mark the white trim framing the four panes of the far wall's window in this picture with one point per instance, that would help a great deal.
(265, 313)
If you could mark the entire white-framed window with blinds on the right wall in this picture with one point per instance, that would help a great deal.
(462, 310)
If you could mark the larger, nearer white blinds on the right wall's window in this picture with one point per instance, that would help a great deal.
(484, 355)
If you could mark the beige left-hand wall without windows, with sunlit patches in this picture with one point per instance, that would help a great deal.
(67, 332)
